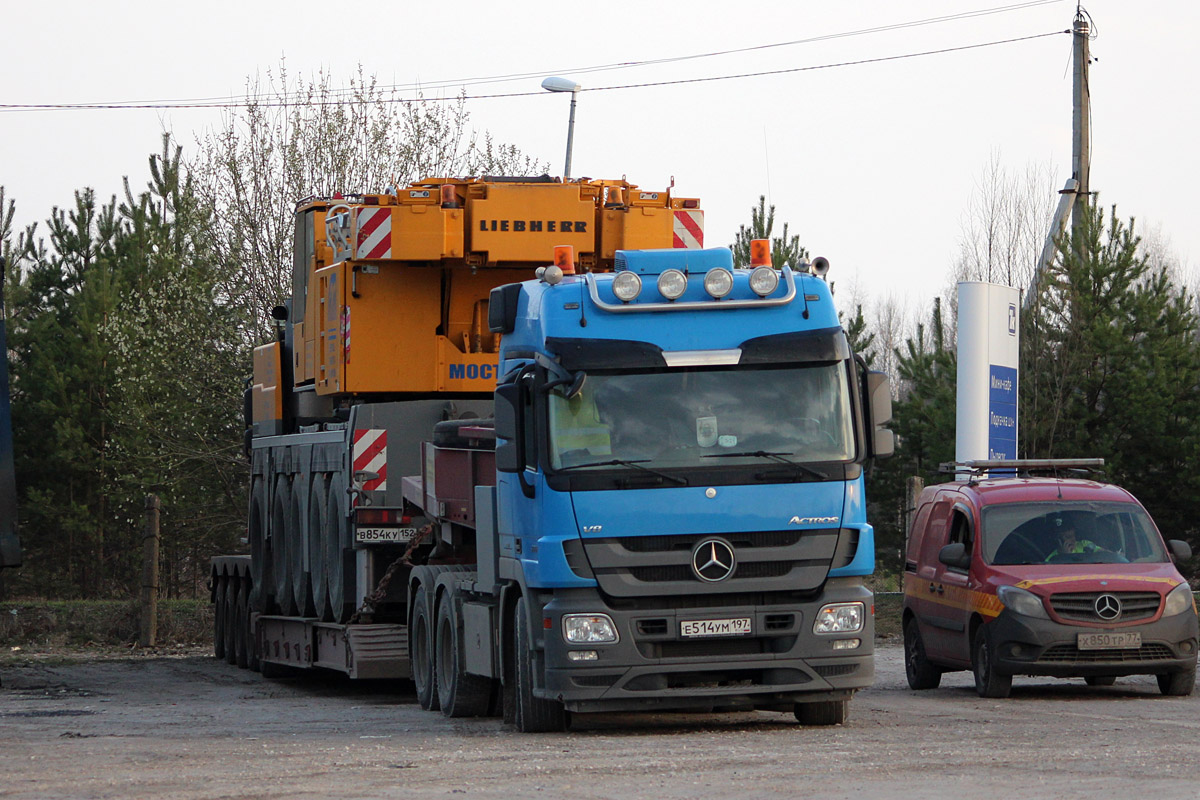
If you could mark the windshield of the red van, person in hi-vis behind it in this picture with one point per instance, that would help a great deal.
(1070, 533)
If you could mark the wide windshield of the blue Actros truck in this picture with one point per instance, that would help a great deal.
(677, 418)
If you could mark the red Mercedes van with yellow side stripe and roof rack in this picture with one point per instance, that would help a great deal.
(1042, 576)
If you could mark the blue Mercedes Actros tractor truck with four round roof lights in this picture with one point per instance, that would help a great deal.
(668, 508)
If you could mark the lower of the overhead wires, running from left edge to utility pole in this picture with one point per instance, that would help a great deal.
(285, 103)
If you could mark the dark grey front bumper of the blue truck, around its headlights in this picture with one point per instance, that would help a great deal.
(653, 666)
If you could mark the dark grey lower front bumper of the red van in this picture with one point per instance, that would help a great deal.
(1025, 646)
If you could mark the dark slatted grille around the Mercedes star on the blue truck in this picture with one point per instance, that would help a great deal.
(767, 562)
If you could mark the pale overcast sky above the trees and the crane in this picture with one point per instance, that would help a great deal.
(872, 165)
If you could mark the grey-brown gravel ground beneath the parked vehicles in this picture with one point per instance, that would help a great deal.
(195, 727)
